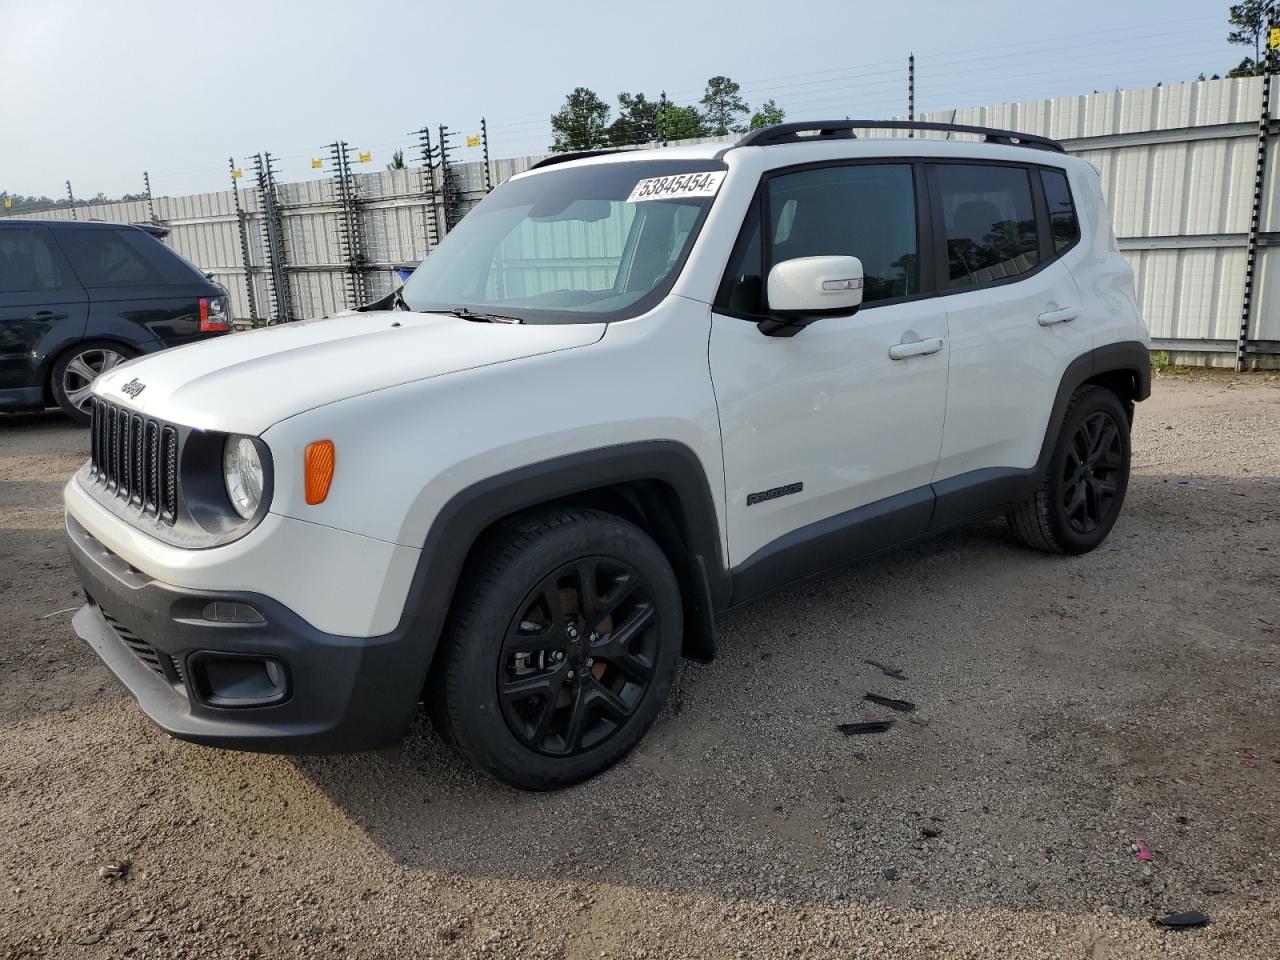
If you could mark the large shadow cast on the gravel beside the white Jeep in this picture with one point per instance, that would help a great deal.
(1066, 708)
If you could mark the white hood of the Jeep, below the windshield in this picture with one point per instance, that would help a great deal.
(248, 382)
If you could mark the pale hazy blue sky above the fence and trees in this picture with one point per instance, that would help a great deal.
(100, 92)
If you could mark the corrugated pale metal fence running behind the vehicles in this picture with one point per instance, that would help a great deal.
(1191, 175)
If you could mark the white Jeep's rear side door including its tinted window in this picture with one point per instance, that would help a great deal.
(1014, 317)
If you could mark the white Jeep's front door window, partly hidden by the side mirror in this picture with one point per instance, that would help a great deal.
(863, 211)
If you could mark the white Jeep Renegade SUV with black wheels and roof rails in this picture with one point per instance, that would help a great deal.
(629, 392)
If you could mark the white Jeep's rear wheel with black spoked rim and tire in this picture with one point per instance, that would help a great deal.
(1085, 484)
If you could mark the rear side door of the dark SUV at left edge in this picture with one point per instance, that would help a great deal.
(43, 310)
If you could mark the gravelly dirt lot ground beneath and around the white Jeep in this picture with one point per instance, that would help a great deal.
(1067, 710)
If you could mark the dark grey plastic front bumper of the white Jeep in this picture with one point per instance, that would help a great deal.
(342, 694)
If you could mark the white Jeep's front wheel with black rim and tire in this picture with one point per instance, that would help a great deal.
(561, 650)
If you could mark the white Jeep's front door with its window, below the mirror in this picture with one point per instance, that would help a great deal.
(830, 442)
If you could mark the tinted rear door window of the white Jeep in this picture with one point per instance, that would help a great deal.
(989, 222)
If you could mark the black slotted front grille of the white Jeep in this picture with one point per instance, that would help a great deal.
(136, 459)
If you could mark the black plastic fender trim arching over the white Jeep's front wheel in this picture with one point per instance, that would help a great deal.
(461, 523)
